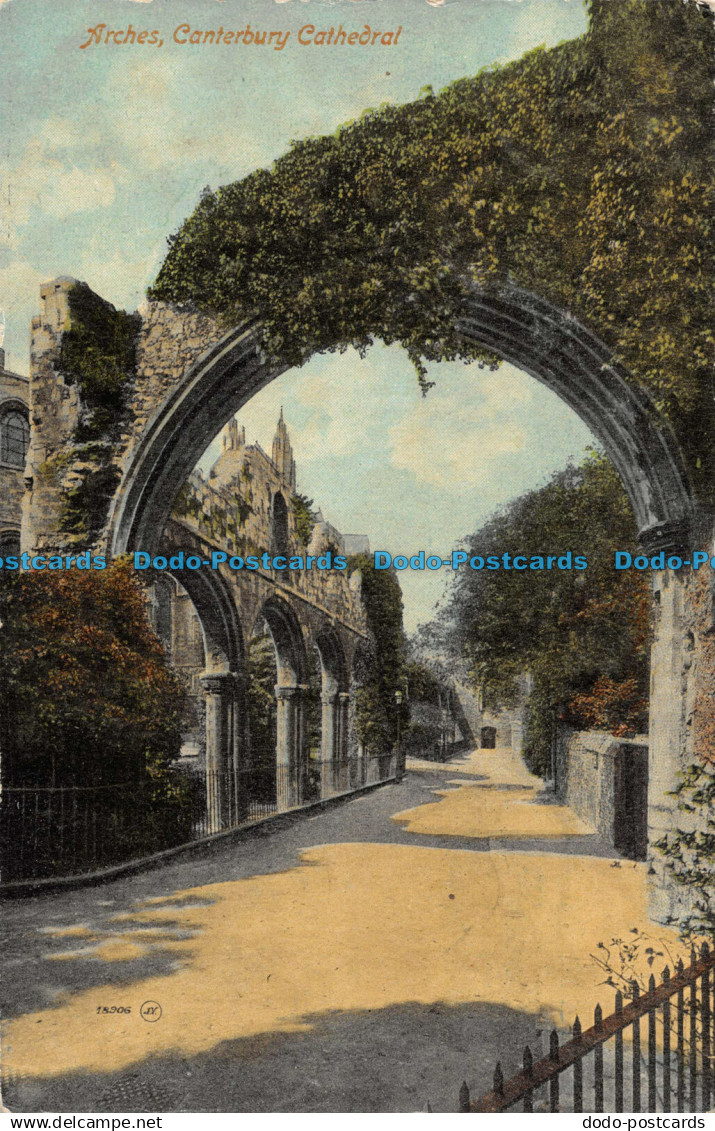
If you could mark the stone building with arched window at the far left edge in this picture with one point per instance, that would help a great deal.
(14, 444)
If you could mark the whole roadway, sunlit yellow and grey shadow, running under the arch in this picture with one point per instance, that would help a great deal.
(347, 963)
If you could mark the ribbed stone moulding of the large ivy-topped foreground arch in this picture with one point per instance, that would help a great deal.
(529, 332)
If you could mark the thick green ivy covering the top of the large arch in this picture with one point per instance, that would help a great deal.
(582, 174)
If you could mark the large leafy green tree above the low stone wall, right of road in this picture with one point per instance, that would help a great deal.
(584, 635)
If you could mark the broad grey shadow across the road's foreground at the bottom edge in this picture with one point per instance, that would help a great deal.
(389, 1060)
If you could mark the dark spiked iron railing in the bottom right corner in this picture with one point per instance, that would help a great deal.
(668, 1068)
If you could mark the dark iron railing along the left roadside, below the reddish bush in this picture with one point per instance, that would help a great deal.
(71, 831)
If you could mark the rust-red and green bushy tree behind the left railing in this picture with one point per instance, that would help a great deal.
(87, 694)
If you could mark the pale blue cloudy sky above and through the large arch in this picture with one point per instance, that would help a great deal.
(106, 151)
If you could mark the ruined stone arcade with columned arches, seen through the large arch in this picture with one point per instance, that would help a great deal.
(245, 507)
